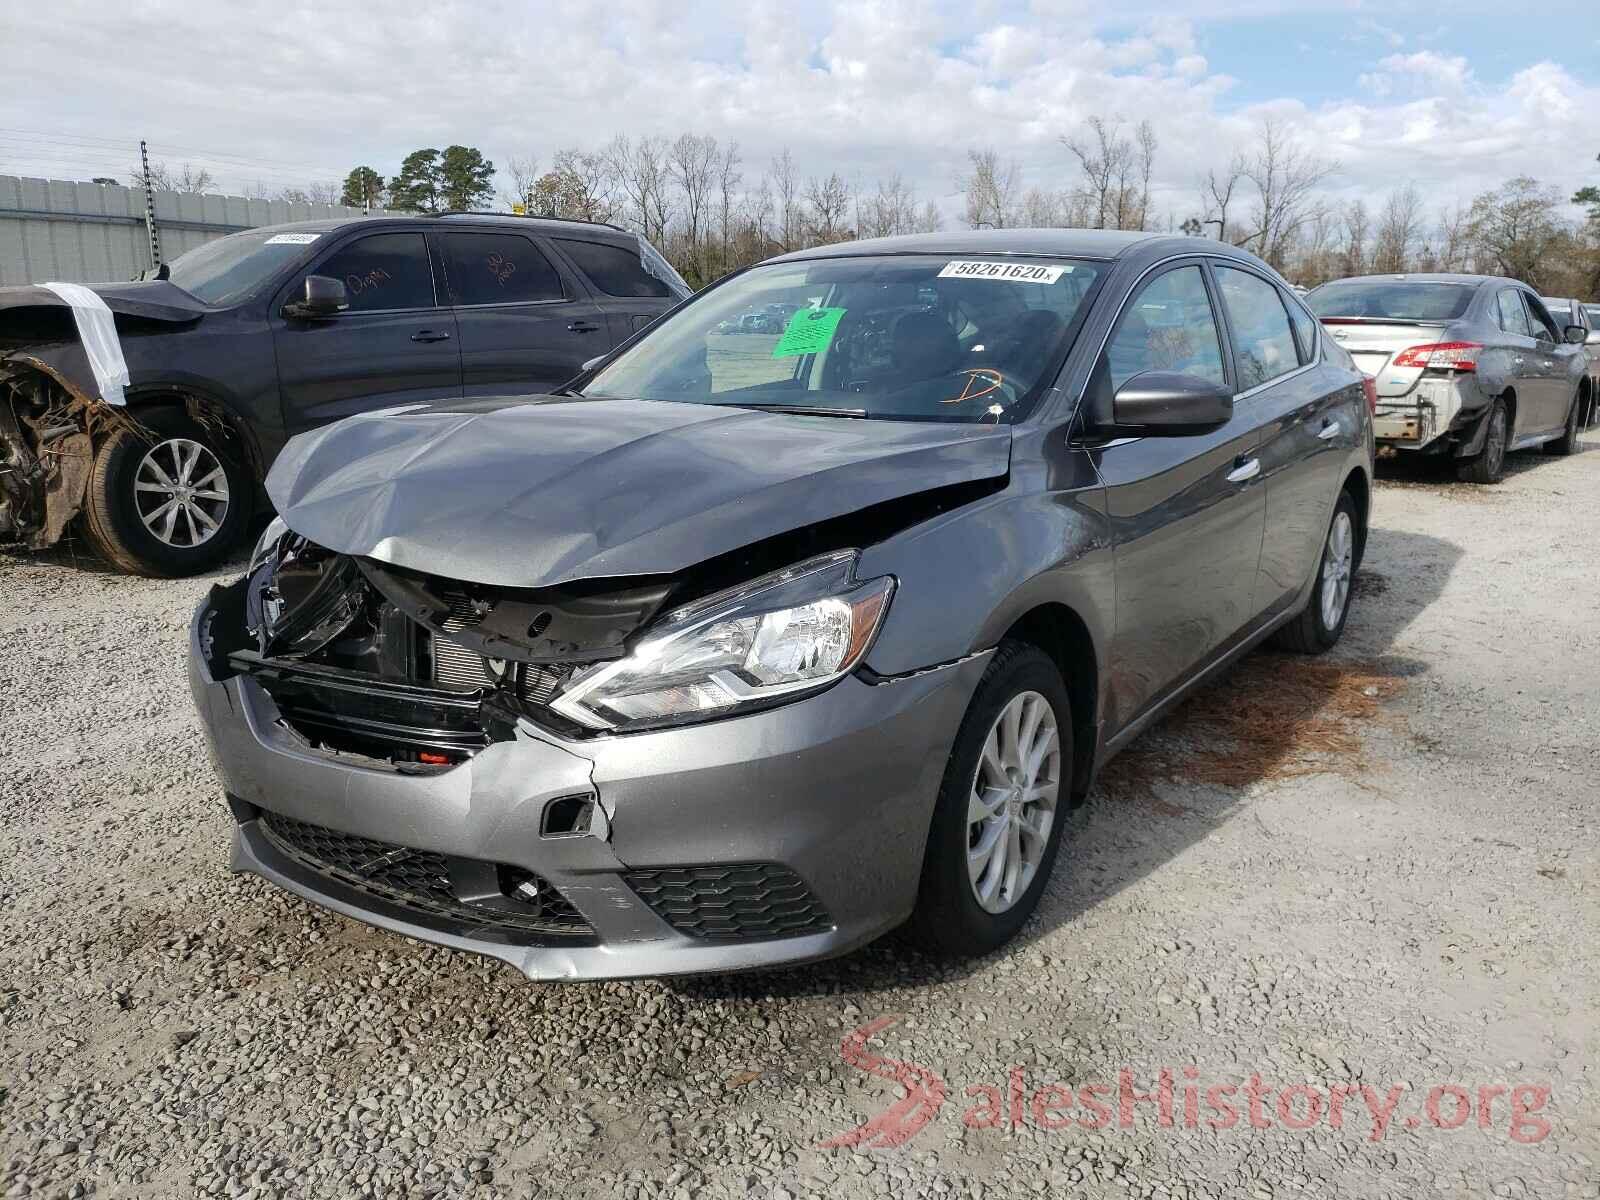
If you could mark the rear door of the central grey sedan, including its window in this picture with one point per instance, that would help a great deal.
(1306, 426)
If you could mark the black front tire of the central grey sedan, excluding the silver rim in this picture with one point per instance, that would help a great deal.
(950, 921)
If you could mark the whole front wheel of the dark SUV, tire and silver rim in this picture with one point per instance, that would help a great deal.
(169, 505)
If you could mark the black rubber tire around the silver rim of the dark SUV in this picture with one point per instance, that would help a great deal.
(113, 508)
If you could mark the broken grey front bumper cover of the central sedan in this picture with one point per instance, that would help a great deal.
(762, 841)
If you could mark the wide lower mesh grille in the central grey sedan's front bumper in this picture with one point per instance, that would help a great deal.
(420, 881)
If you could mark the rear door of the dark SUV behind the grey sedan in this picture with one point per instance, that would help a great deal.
(527, 324)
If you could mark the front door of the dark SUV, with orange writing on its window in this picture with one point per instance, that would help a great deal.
(396, 343)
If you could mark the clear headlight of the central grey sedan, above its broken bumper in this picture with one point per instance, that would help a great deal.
(785, 634)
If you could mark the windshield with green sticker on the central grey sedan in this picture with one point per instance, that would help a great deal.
(906, 337)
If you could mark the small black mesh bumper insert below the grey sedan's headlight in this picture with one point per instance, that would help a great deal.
(740, 903)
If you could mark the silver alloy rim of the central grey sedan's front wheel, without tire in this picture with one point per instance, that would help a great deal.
(1014, 802)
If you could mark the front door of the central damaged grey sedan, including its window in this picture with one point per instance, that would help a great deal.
(1186, 513)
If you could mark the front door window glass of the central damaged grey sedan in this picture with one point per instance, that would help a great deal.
(1169, 327)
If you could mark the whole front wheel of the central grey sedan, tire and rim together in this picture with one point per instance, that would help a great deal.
(1002, 807)
